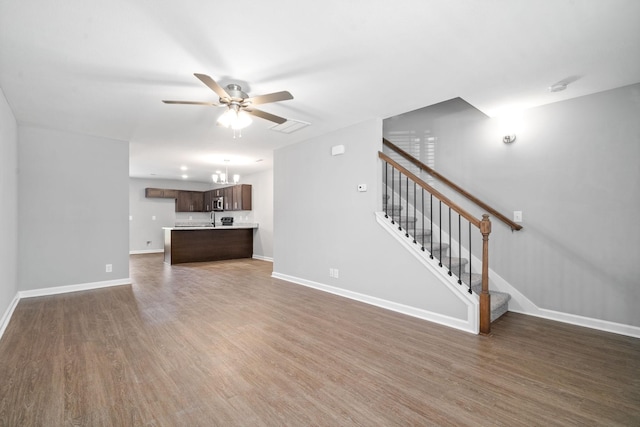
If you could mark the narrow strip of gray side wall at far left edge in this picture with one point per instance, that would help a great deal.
(8, 206)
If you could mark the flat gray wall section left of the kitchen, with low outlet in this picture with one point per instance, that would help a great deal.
(73, 209)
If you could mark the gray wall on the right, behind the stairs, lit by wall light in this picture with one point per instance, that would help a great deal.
(574, 173)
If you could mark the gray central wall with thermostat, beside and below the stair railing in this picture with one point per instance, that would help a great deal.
(321, 221)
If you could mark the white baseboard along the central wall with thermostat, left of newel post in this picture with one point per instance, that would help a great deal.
(452, 322)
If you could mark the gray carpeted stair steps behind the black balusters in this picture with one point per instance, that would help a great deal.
(499, 301)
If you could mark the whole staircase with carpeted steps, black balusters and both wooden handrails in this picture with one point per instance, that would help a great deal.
(443, 228)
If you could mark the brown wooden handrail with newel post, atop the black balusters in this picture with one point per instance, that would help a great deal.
(484, 225)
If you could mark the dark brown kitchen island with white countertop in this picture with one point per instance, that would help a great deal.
(208, 243)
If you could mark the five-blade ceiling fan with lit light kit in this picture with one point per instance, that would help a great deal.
(238, 103)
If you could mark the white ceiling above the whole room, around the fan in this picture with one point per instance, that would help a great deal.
(102, 68)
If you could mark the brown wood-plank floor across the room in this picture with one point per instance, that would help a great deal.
(224, 344)
